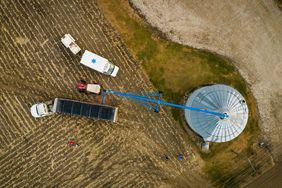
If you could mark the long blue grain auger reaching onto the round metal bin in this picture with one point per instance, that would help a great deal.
(152, 101)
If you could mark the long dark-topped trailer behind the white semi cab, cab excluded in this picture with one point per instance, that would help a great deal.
(84, 109)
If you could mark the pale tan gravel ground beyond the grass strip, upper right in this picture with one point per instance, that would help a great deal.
(248, 32)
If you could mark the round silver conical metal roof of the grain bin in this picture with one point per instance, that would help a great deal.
(222, 99)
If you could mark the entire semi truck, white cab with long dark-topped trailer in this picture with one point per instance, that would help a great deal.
(75, 108)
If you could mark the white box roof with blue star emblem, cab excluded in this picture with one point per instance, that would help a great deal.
(94, 61)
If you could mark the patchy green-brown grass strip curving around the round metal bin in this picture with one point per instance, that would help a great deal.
(176, 69)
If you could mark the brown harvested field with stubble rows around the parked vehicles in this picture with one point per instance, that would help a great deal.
(34, 66)
